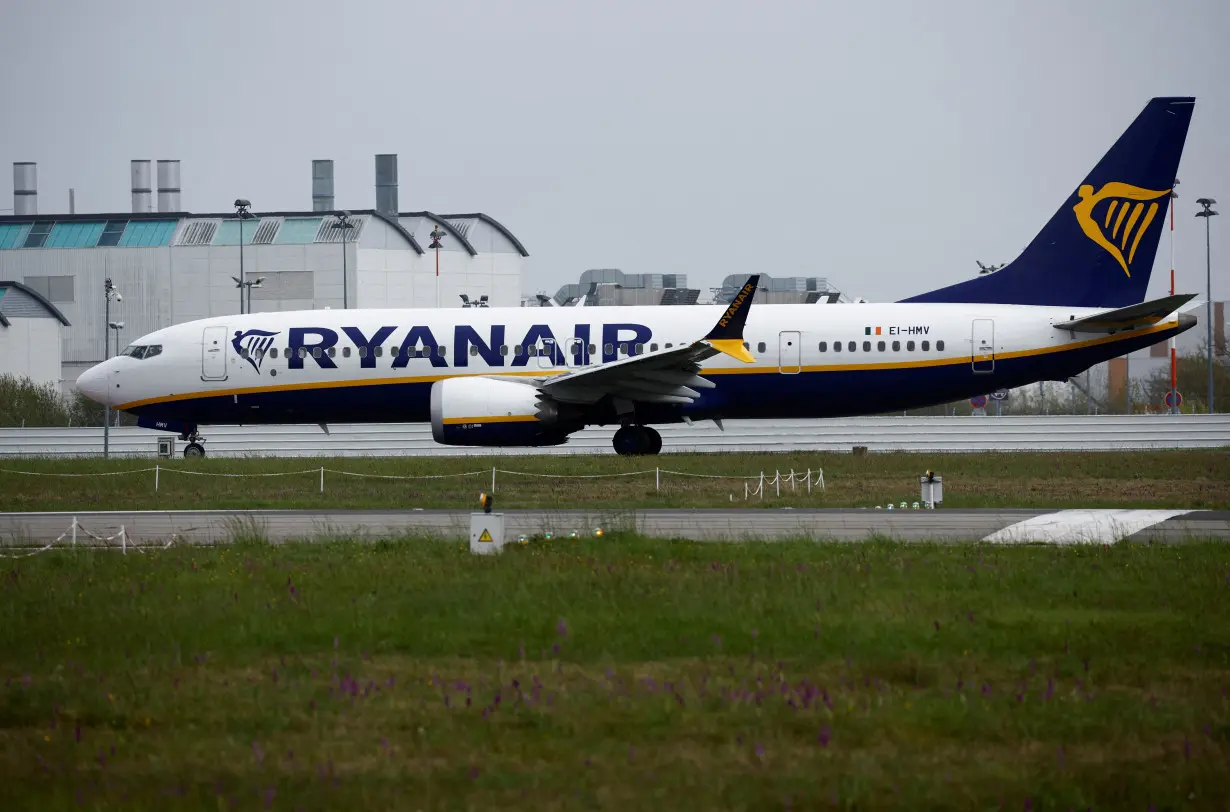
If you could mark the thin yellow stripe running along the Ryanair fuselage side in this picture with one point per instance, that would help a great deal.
(715, 371)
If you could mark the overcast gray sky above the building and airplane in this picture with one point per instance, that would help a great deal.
(885, 146)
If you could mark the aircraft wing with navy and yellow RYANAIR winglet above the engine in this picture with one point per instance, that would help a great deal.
(664, 377)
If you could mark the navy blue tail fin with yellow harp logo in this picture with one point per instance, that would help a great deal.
(1098, 250)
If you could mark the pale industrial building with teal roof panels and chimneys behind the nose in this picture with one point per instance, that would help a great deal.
(172, 266)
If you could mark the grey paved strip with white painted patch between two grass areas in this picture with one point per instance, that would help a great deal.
(841, 525)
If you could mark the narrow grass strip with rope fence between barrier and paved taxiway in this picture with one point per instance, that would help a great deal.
(1185, 479)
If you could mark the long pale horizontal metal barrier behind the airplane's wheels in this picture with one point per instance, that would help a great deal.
(1017, 434)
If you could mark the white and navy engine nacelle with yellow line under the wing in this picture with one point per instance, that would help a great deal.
(485, 412)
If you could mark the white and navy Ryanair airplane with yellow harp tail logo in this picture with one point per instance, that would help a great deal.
(532, 377)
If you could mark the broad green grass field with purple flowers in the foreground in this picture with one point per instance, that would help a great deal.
(617, 674)
